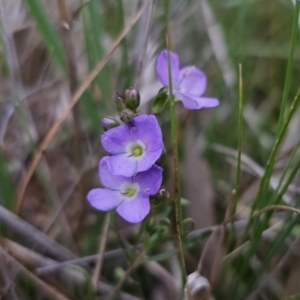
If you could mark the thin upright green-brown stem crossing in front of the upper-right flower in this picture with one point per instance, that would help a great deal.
(177, 196)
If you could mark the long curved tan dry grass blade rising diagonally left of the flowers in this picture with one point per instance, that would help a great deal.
(55, 127)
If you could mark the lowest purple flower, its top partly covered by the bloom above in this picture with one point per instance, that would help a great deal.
(130, 195)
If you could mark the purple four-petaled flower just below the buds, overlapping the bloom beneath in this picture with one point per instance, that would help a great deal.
(133, 147)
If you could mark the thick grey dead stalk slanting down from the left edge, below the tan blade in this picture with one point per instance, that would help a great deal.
(31, 234)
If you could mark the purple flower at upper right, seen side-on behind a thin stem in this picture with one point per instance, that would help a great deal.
(188, 83)
